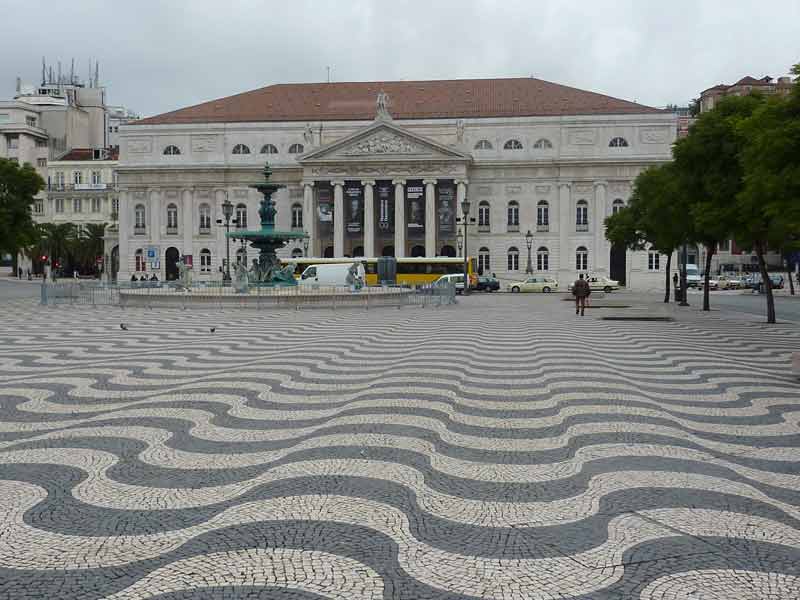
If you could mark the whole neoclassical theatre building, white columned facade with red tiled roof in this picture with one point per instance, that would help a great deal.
(381, 168)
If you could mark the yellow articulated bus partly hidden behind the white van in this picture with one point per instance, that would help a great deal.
(410, 271)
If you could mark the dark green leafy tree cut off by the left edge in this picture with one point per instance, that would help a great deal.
(18, 186)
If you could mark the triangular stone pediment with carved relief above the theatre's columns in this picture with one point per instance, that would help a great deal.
(383, 141)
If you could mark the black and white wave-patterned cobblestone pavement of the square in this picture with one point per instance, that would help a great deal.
(502, 448)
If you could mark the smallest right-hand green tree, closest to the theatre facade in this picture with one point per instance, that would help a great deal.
(654, 217)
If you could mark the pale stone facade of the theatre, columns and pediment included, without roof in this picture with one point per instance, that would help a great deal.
(556, 176)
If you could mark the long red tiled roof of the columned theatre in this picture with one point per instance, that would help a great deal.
(407, 100)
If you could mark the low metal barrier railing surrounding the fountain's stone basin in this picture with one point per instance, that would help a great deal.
(211, 293)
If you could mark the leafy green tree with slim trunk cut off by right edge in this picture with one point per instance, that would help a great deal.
(769, 201)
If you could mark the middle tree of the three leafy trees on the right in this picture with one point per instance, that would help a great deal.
(708, 161)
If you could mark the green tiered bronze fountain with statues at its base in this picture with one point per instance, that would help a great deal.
(266, 270)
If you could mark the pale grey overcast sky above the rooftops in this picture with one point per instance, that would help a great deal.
(160, 56)
